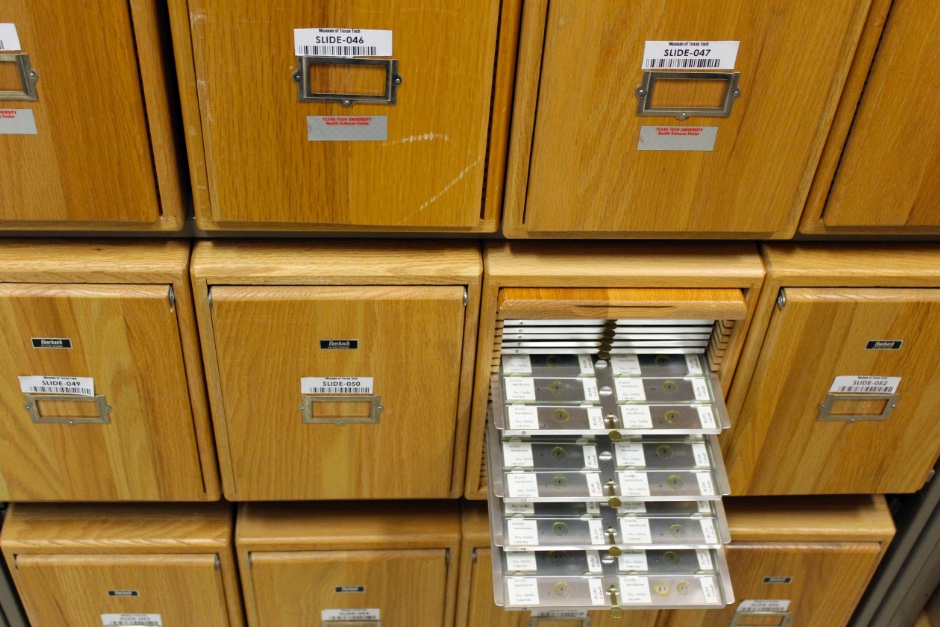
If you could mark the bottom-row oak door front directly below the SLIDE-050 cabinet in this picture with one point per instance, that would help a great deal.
(400, 588)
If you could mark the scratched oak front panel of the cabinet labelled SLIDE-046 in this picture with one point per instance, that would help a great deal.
(427, 176)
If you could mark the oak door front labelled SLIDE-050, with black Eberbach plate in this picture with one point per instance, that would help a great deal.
(407, 340)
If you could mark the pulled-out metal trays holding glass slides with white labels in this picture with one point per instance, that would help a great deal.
(606, 481)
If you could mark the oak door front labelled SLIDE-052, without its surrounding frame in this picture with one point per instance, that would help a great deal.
(783, 444)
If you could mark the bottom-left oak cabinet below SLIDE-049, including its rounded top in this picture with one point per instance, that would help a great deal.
(142, 564)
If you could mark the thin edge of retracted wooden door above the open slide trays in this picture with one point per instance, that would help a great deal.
(691, 304)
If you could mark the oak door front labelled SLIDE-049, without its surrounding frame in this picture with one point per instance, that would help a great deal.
(134, 439)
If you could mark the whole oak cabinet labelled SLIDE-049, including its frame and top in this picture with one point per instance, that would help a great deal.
(101, 384)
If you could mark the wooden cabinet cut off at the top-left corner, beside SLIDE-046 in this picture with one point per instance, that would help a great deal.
(95, 145)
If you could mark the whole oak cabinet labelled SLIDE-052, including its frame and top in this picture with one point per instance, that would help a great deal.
(844, 357)
